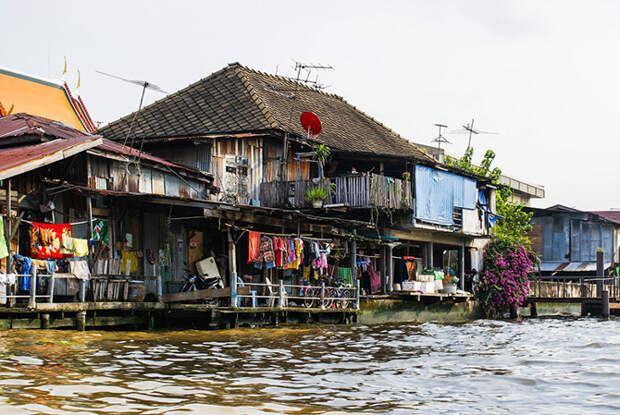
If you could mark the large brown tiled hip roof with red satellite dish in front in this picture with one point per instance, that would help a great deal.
(237, 99)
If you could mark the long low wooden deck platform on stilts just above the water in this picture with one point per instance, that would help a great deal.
(149, 315)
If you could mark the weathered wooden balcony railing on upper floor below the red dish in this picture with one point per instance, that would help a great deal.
(354, 191)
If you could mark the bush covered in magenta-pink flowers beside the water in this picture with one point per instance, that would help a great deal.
(504, 282)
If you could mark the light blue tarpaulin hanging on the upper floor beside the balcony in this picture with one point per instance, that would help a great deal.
(437, 193)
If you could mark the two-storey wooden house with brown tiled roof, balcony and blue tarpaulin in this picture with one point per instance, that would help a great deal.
(243, 127)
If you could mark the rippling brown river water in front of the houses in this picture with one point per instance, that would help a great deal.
(554, 365)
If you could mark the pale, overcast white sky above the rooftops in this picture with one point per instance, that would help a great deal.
(544, 75)
